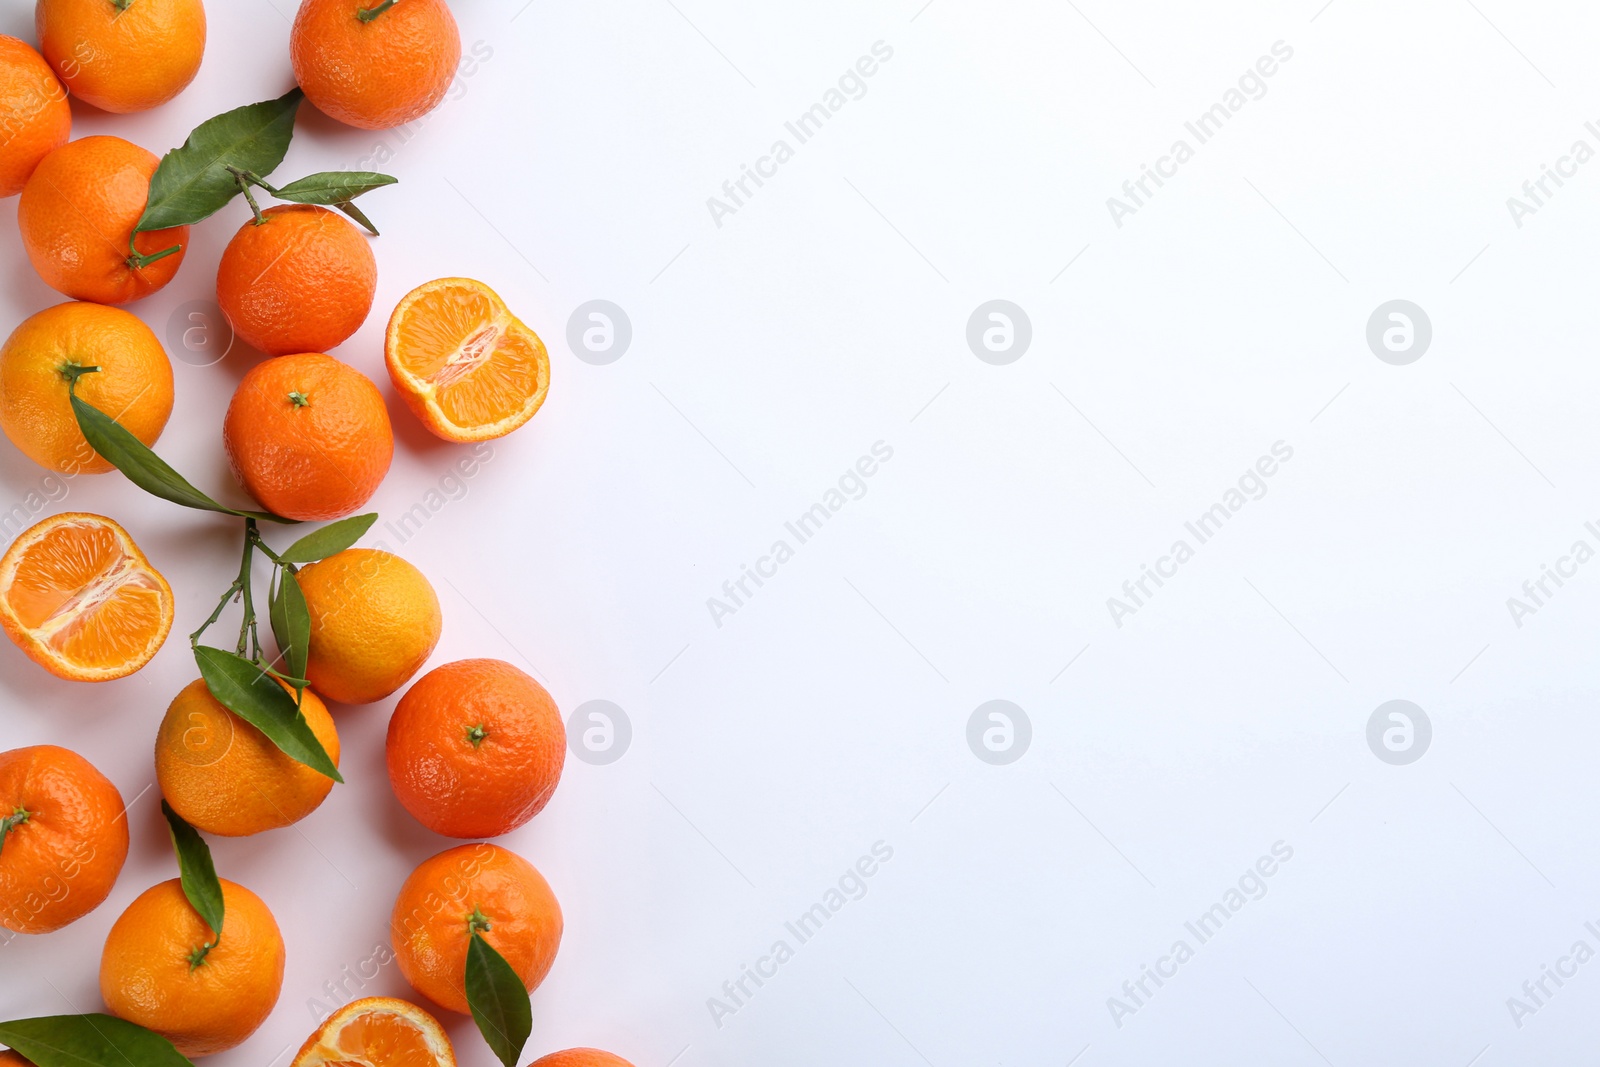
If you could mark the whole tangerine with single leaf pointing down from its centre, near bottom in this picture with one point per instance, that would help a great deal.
(430, 924)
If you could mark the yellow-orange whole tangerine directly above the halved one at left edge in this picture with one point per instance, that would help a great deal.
(134, 386)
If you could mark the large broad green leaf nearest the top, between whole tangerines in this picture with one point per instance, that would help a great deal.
(194, 182)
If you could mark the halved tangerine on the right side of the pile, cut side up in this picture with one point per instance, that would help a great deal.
(465, 366)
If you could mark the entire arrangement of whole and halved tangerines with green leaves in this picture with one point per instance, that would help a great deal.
(474, 748)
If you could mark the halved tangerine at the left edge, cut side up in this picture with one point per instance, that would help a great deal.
(81, 599)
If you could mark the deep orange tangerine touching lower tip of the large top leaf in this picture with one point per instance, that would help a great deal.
(78, 215)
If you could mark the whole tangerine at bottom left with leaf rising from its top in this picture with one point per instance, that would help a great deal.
(148, 981)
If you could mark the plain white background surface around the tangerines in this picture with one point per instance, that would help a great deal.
(831, 711)
